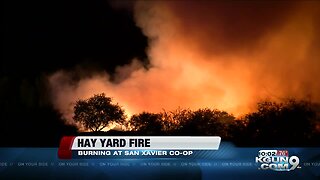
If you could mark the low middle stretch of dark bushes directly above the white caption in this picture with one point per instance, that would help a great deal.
(185, 122)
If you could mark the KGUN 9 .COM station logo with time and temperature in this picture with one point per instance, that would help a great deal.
(277, 160)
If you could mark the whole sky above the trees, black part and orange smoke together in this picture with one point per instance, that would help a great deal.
(151, 56)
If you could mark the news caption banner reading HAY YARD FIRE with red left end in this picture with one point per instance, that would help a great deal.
(120, 147)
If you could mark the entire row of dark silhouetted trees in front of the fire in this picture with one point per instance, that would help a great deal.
(288, 123)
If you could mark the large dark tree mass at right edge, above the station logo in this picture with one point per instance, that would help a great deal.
(290, 123)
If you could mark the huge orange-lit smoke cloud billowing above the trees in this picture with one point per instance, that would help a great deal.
(225, 55)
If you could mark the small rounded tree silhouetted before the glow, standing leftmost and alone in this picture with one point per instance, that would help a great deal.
(98, 112)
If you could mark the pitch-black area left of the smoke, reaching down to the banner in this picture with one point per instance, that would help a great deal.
(42, 37)
